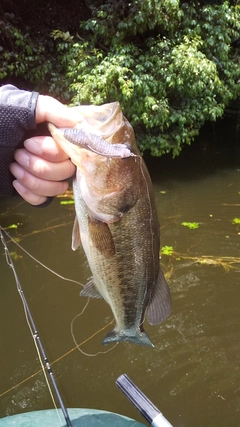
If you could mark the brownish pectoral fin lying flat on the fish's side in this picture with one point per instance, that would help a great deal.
(101, 237)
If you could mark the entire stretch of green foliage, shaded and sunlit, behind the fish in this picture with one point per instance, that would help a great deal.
(170, 64)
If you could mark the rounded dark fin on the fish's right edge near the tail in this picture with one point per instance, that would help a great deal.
(160, 304)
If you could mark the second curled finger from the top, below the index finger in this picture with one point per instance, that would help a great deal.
(42, 168)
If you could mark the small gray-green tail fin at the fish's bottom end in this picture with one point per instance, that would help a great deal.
(136, 337)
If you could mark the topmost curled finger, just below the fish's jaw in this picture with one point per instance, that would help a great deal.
(46, 147)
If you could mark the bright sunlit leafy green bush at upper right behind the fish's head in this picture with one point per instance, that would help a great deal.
(170, 66)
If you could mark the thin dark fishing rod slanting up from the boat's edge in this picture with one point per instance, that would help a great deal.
(33, 328)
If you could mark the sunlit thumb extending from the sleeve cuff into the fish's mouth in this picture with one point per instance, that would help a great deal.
(48, 109)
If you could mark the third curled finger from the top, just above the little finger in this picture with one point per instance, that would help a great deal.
(38, 186)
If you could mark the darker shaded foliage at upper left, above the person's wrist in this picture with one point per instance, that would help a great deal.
(34, 60)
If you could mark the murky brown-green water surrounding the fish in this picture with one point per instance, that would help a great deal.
(193, 374)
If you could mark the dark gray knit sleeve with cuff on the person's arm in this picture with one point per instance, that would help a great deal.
(17, 116)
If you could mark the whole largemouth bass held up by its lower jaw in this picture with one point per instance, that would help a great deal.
(116, 221)
